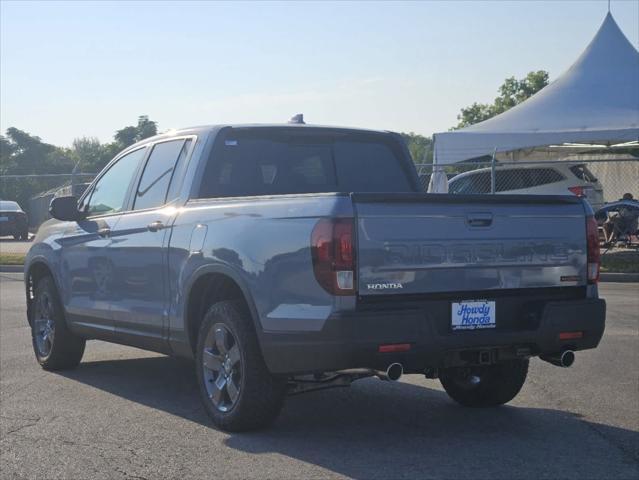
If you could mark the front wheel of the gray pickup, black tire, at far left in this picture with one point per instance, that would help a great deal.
(59, 349)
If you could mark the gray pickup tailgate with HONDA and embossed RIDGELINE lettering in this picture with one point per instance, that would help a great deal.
(420, 243)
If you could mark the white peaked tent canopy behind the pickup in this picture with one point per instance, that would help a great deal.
(595, 102)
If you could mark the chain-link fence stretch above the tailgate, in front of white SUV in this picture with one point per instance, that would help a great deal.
(600, 181)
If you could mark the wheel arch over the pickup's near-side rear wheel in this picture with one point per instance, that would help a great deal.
(211, 284)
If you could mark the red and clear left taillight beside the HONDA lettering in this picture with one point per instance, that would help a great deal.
(334, 255)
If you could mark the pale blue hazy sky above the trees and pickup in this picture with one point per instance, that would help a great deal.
(86, 69)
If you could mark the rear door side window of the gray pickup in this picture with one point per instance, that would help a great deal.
(160, 169)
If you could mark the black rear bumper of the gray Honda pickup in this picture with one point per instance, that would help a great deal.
(351, 340)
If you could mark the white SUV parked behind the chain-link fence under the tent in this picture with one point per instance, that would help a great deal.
(556, 179)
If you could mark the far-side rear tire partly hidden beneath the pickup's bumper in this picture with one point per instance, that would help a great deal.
(485, 386)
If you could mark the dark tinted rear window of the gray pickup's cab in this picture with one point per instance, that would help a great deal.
(277, 162)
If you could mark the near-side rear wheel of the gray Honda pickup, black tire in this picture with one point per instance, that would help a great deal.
(258, 395)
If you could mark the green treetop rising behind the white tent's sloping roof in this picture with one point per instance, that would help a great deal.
(511, 93)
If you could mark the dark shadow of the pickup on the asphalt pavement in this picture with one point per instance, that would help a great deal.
(378, 429)
